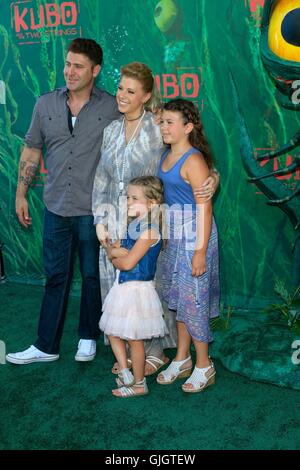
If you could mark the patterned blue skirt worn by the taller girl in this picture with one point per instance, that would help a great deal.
(195, 299)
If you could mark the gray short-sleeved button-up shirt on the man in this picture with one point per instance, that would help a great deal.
(71, 157)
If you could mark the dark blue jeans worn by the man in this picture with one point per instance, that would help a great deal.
(63, 238)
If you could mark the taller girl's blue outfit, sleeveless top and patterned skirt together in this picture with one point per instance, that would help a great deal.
(195, 299)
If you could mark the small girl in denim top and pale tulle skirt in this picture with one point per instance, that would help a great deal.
(132, 311)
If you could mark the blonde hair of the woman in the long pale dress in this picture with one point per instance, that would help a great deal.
(143, 74)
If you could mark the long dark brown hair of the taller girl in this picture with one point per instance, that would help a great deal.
(191, 114)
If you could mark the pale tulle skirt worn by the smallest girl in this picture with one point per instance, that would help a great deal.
(132, 310)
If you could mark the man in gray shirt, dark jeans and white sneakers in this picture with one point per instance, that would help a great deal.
(69, 122)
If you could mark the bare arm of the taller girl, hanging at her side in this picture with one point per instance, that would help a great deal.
(196, 172)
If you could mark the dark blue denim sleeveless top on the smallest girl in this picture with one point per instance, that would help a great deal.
(145, 269)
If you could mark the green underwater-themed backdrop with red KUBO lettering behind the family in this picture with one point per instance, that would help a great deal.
(192, 59)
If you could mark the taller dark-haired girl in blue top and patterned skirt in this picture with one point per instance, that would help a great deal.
(190, 266)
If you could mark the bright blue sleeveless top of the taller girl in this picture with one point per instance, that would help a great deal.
(176, 190)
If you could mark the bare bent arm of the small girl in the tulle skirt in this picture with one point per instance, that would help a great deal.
(139, 249)
